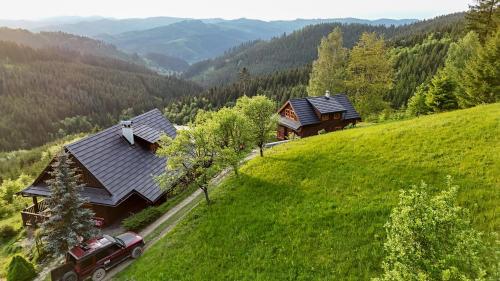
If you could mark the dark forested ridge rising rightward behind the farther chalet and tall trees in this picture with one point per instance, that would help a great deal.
(300, 47)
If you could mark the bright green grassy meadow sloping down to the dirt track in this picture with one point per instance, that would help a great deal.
(314, 209)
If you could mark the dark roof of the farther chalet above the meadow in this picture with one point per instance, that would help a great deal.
(304, 109)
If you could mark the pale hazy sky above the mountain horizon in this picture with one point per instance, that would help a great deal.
(230, 9)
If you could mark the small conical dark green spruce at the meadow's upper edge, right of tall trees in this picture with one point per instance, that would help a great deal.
(441, 93)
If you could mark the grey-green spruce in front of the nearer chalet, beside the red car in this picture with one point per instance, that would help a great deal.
(70, 222)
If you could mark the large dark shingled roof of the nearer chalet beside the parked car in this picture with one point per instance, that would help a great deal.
(120, 167)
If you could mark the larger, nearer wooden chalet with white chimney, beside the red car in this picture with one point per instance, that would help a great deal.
(118, 167)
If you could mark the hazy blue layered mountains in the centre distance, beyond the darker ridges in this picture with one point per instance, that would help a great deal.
(195, 40)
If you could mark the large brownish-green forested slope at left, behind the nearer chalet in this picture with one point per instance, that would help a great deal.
(49, 93)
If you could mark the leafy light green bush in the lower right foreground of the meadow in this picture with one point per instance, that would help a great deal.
(431, 238)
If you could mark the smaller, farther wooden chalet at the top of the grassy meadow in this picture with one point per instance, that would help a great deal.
(307, 116)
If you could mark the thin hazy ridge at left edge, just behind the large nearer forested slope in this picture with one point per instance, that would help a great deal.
(62, 40)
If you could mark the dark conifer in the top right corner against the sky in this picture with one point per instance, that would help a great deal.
(483, 18)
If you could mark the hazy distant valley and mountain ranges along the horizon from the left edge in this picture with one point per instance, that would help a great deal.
(169, 44)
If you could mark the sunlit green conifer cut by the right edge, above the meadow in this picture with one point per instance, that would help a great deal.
(482, 74)
